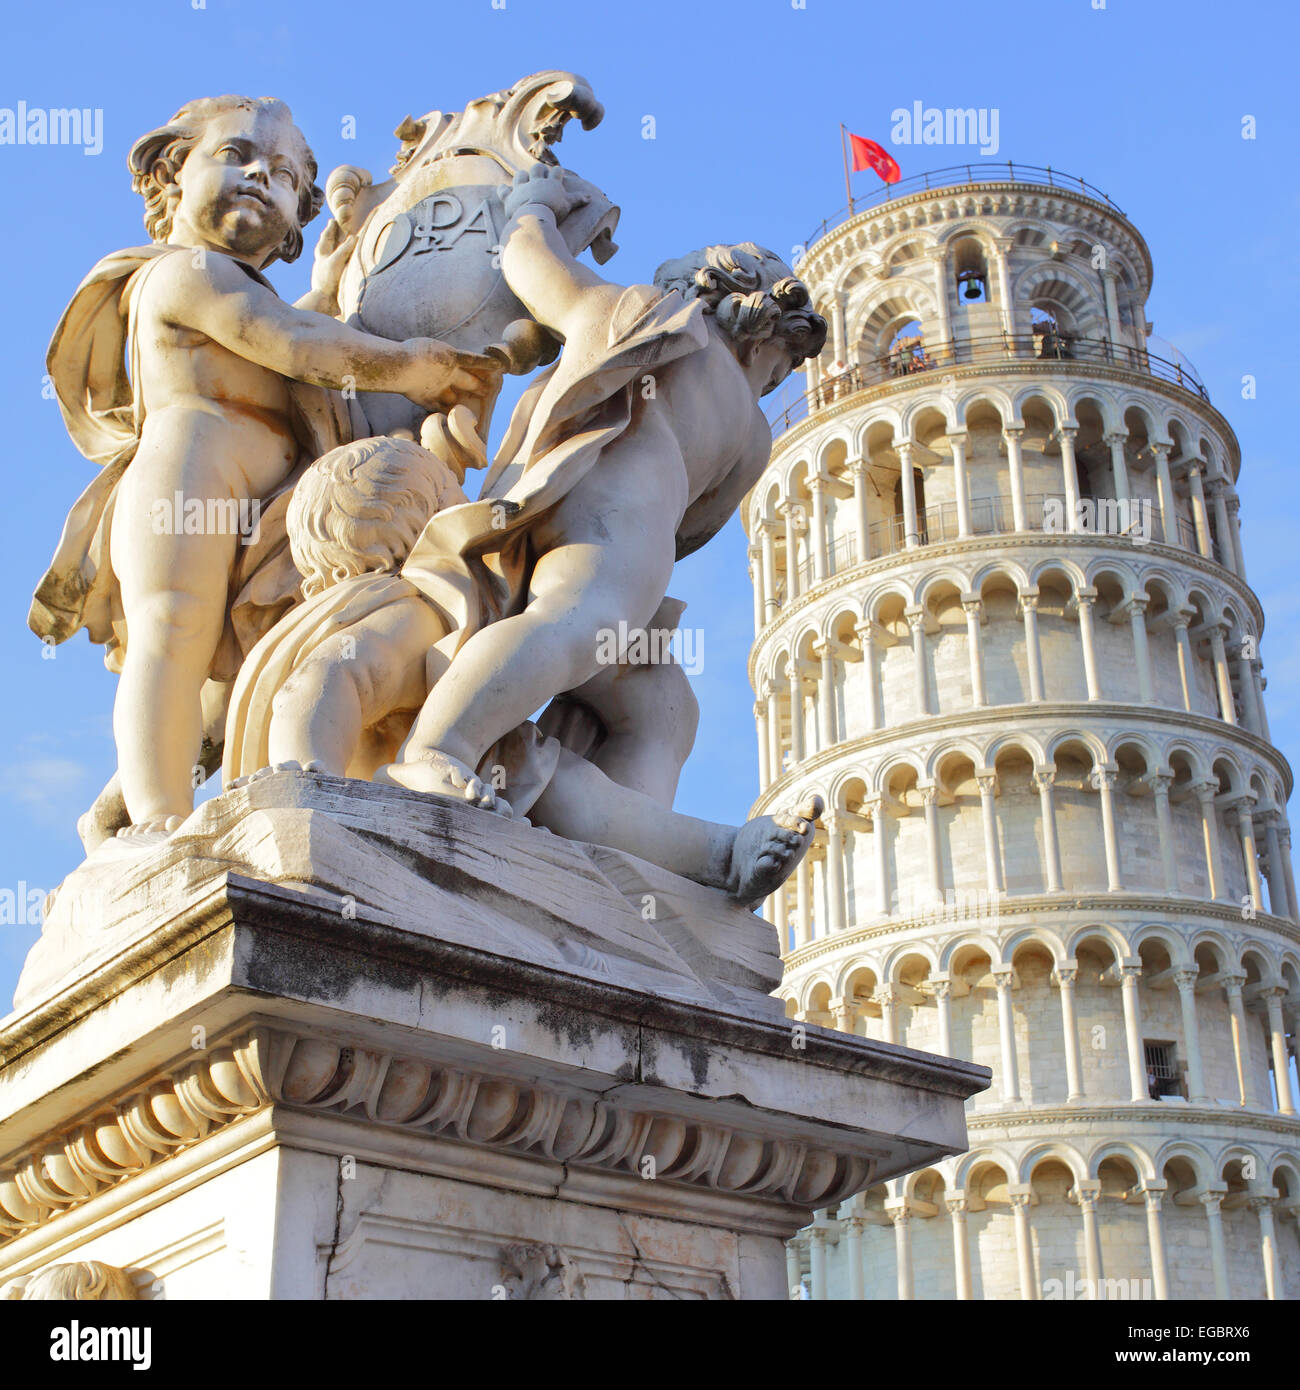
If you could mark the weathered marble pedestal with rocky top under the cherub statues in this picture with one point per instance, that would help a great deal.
(336, 1042)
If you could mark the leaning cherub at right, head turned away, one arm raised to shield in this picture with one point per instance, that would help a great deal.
(629, 454)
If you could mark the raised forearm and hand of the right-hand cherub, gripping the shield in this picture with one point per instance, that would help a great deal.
(554, 286)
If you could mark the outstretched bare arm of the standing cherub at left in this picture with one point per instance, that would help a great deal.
(226, 305)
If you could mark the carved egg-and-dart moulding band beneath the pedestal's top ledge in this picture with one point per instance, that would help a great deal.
(273, 1068)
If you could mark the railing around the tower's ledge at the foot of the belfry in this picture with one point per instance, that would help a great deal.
(961, 352)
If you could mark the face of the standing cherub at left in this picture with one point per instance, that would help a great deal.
(240, 186)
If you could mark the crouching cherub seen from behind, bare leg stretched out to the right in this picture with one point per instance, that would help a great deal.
(336, 685)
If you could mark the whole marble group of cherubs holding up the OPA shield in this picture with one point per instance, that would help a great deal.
(379, 623)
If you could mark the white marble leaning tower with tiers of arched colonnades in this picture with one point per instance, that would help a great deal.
(1005, 628)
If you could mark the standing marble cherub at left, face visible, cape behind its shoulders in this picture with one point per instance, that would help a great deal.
(220, 404)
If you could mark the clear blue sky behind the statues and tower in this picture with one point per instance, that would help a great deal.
(1142, 98)
